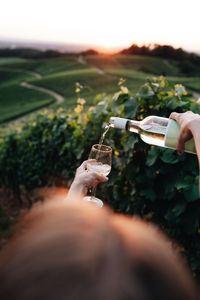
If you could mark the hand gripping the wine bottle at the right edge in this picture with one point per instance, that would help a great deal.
(189, 123)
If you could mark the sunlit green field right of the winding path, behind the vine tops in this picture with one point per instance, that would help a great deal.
(93, 84)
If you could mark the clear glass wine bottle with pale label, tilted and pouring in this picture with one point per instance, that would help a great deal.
(154, 130)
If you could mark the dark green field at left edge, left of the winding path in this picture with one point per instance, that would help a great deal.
(15, 100)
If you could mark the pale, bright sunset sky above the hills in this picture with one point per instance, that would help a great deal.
(107, 24)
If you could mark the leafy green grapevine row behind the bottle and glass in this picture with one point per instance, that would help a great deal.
(152, 182)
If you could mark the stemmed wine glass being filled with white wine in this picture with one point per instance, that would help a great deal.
(102, 164)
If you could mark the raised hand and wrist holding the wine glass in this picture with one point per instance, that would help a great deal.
(84, 180)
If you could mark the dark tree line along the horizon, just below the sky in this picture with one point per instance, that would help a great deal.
(189, 63)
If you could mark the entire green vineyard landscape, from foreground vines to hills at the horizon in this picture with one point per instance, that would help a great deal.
(53, 107)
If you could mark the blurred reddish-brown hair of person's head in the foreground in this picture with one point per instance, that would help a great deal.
(76, 251)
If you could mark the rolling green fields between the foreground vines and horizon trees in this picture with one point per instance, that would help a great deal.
(96, 73)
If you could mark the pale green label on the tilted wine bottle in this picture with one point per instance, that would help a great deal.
(172, 135)
